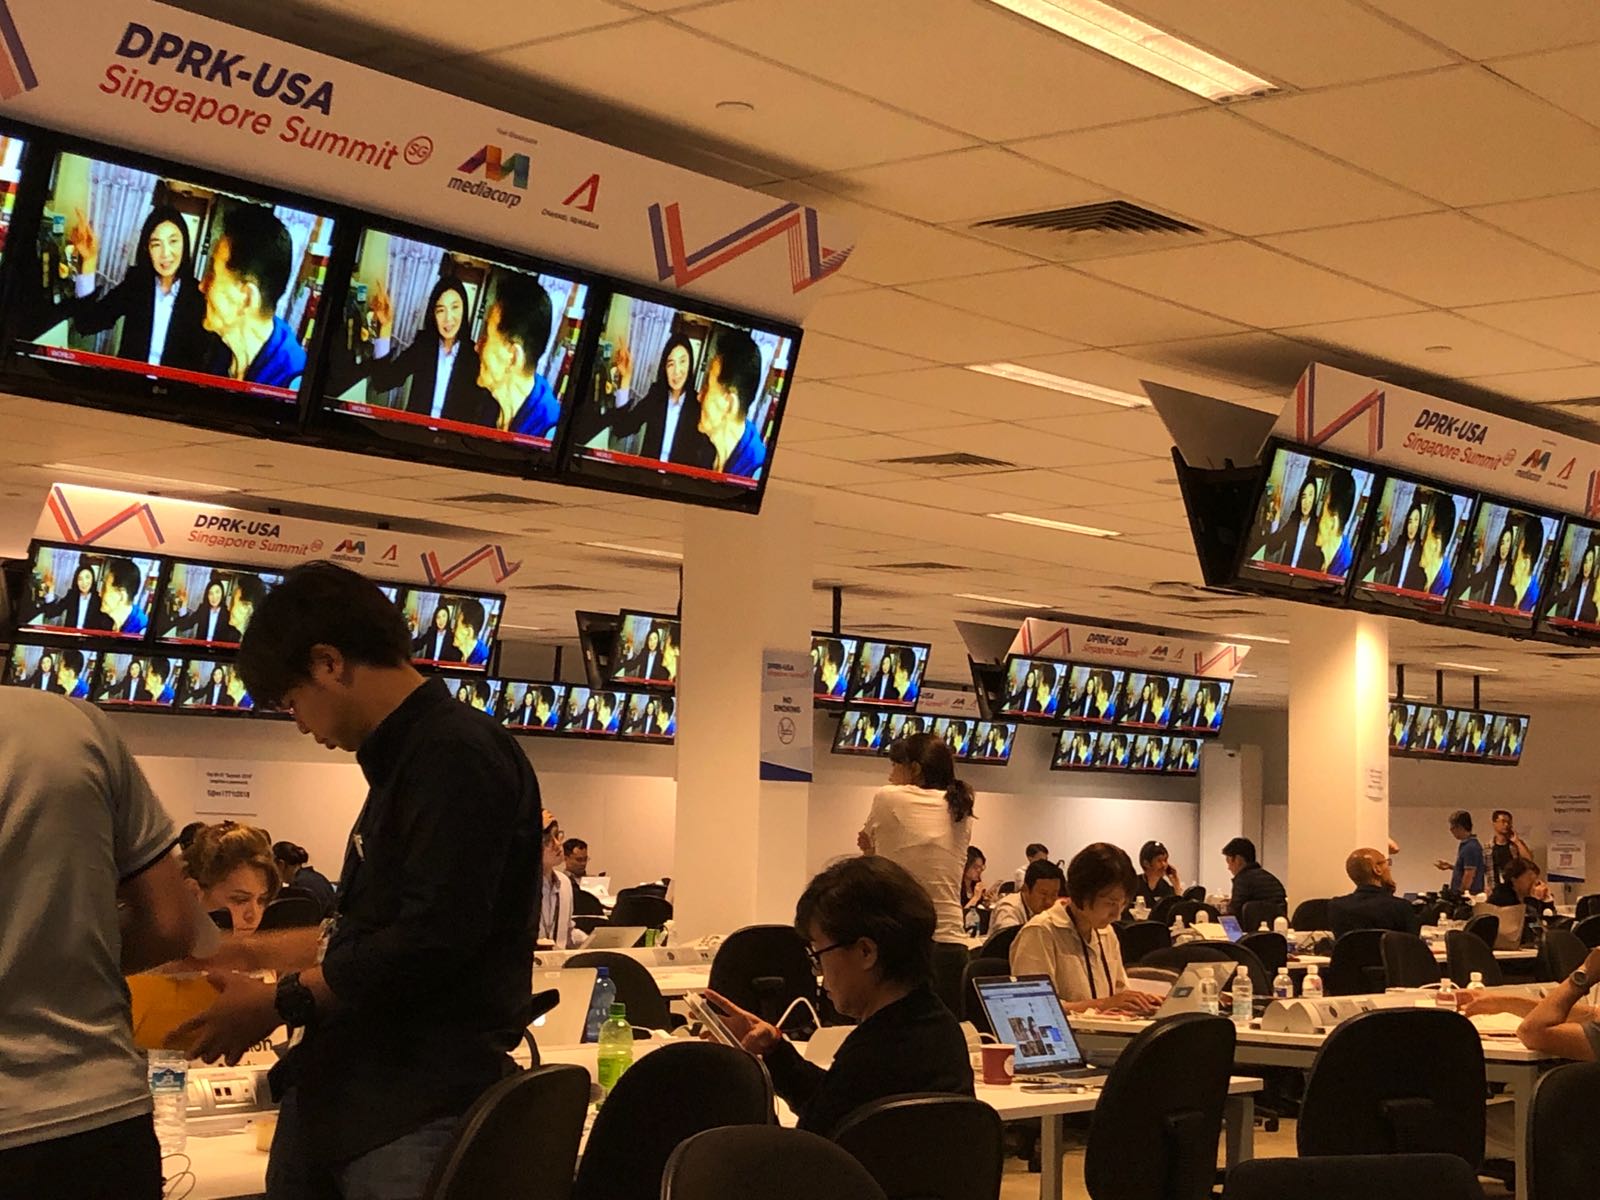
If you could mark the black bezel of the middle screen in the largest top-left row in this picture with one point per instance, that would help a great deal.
(407, 442)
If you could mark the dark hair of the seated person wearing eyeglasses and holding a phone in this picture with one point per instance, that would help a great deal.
(876, 898)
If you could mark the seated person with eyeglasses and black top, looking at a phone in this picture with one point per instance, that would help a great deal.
(870, 930)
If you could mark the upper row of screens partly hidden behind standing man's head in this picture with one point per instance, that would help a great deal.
(92, 594)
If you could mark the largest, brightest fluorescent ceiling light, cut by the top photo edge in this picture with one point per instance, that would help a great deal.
(1142, 46)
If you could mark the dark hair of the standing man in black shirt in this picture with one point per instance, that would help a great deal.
(319, 604)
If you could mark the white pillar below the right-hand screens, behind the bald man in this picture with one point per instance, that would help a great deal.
(1338, 746)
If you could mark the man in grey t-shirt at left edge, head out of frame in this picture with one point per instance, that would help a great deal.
(89, 892)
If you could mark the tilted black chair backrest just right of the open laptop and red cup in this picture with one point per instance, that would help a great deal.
(1154, 1132)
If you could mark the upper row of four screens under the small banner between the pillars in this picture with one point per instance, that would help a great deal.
(1052, 692)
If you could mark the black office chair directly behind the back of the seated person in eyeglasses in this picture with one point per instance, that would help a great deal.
(929, 1148)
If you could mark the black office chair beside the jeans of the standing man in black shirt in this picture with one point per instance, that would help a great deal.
(521, 1138)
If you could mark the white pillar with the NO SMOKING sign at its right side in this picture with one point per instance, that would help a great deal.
(740, 852)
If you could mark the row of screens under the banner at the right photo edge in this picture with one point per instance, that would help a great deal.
(1338, 532)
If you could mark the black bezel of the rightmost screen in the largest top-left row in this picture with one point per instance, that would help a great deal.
(649, 482)
